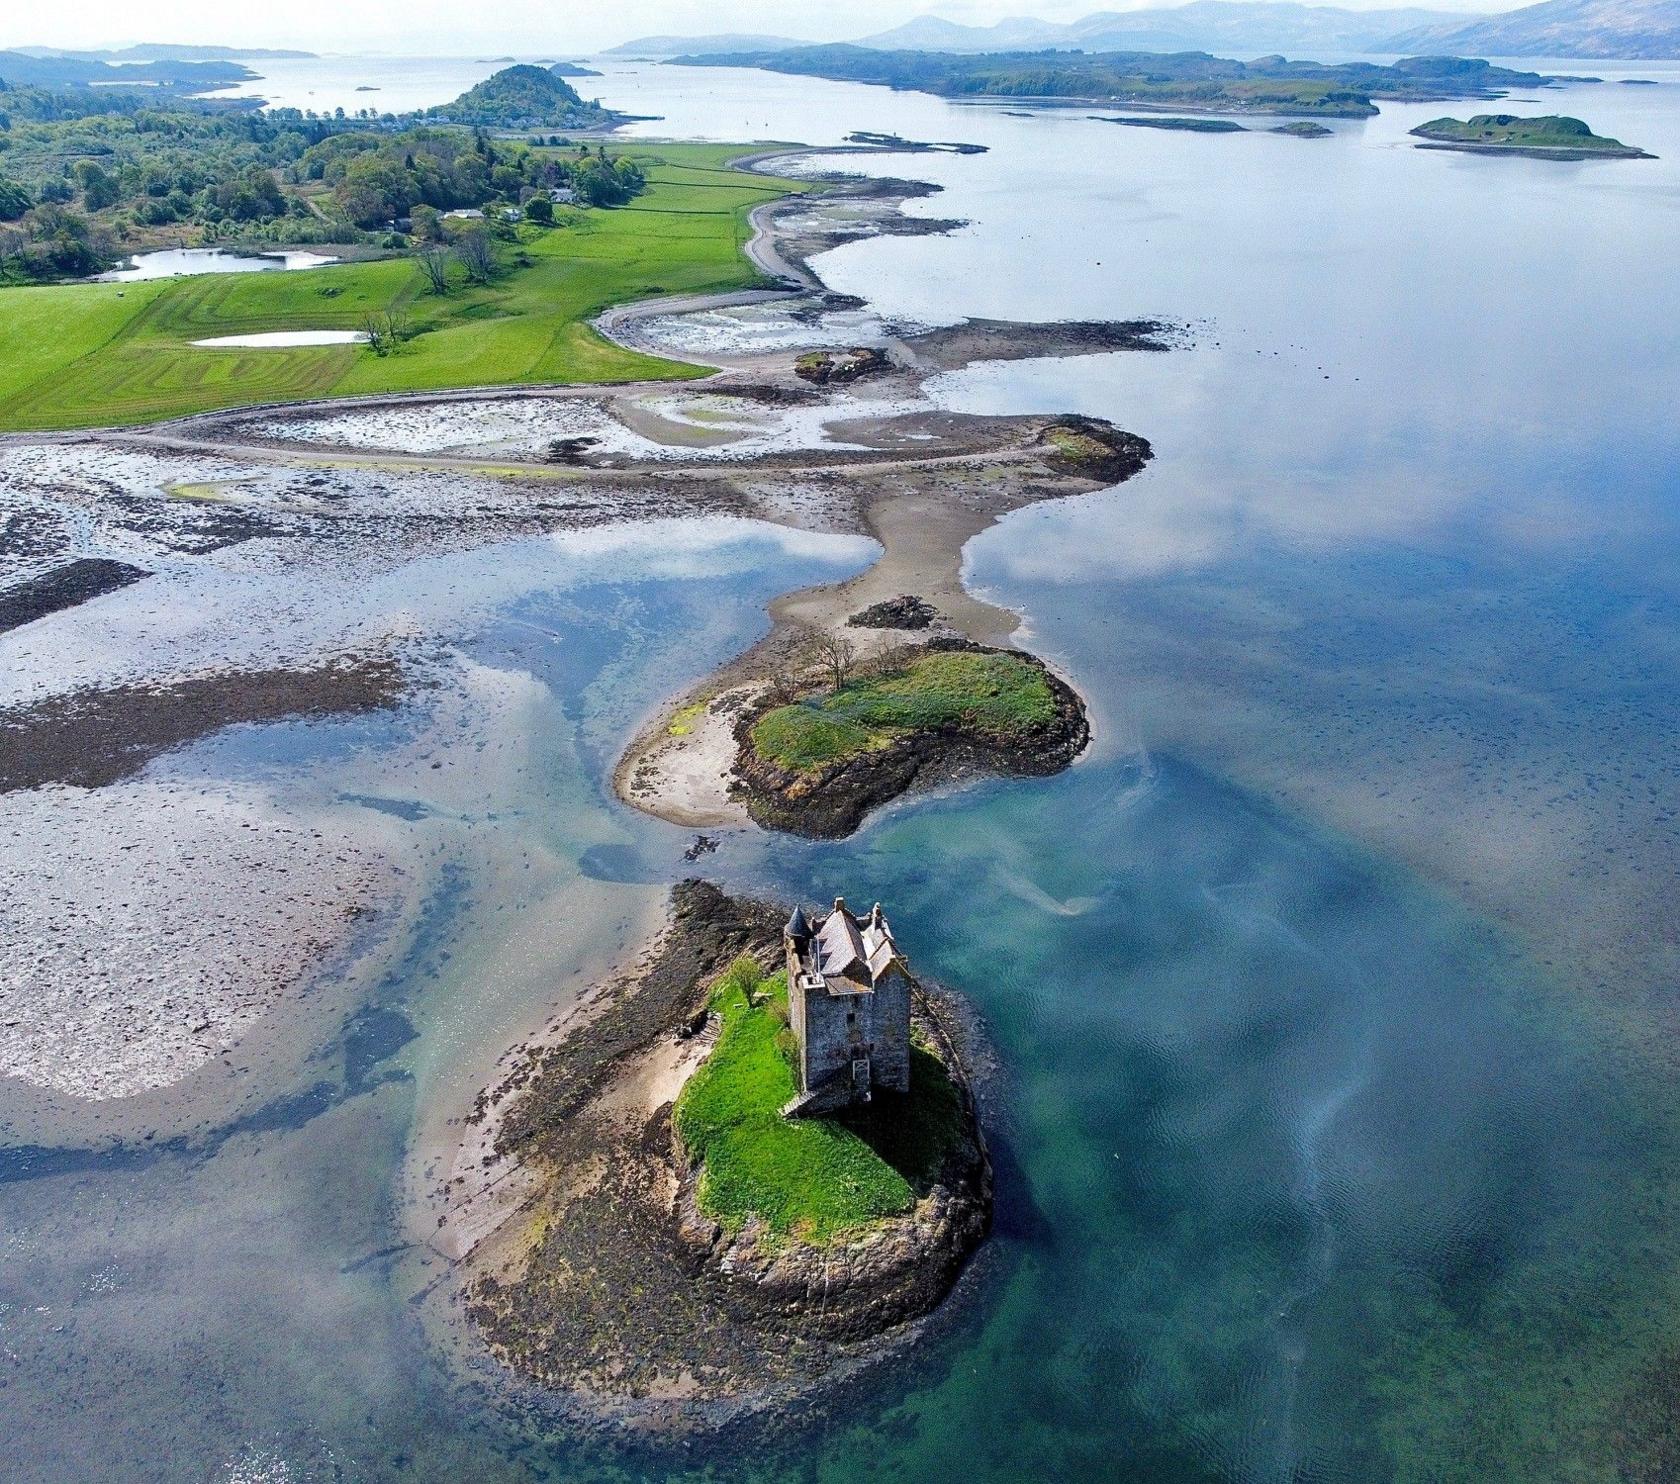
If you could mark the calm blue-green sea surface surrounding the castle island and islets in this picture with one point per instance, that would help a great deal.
(1333, 992)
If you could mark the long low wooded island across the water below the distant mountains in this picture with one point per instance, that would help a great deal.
(1147, 80)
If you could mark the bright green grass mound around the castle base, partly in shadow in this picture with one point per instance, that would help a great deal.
(814, 1177)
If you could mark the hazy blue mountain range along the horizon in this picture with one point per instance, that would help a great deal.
(1635, 29)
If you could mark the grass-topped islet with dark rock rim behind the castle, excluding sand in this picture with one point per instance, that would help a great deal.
(821, 764)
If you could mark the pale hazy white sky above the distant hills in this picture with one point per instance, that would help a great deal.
(528, 28)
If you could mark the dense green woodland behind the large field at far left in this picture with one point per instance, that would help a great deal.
(118, 167)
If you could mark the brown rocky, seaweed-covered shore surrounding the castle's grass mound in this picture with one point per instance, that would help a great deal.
(614, 1292)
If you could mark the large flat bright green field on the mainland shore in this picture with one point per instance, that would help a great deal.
(92, 355)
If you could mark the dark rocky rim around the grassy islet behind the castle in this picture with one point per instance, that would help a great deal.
(827, 804)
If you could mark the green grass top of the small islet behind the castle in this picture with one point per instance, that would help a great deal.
(990, 695)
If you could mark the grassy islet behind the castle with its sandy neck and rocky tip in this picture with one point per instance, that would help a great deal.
(834, 713)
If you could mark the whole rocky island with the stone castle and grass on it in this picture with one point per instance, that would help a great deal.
(755, 1166)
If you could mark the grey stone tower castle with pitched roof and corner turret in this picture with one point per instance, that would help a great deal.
(849, 1004)
